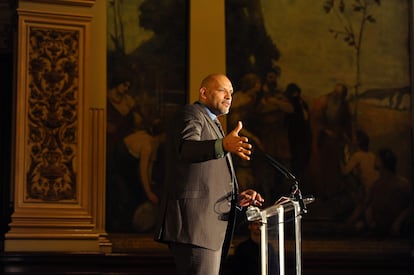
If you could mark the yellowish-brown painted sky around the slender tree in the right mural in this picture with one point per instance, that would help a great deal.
(312, 57)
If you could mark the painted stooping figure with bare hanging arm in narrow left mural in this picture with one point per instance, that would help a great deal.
(131, 183)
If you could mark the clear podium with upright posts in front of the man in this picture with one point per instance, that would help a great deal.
(279, 208)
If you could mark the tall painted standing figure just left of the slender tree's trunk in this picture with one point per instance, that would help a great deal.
(331, 124)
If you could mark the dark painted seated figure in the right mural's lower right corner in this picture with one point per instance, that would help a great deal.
(390, 205)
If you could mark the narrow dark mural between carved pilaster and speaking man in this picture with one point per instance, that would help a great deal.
(147, 78)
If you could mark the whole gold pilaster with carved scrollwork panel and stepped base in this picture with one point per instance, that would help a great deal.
(53, 189)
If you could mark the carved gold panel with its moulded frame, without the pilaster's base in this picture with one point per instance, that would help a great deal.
(52, 61)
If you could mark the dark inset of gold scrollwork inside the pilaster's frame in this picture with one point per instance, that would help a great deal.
(52, 113)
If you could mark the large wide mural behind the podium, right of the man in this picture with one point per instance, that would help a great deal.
(323, 87)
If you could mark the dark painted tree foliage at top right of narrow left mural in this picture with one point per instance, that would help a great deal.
(165, 54)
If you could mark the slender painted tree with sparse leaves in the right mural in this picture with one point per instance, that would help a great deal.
(353, 15)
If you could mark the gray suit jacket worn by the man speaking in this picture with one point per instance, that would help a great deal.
(200, 187)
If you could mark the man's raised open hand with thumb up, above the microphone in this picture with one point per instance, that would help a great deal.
(236, 144)
